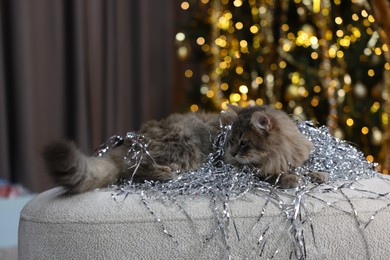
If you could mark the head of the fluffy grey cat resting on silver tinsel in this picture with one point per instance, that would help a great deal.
(265, 138)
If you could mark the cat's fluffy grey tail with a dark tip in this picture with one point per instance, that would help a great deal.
(77, 172)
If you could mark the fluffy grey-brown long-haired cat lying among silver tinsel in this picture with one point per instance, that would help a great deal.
(260, 137)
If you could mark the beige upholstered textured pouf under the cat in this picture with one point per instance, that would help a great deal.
(336, 223)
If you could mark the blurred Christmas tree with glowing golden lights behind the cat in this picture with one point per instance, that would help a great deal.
(319, 60)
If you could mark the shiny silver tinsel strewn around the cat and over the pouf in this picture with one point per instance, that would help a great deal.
(222, 182)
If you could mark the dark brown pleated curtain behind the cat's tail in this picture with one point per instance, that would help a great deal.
(82, 70)
